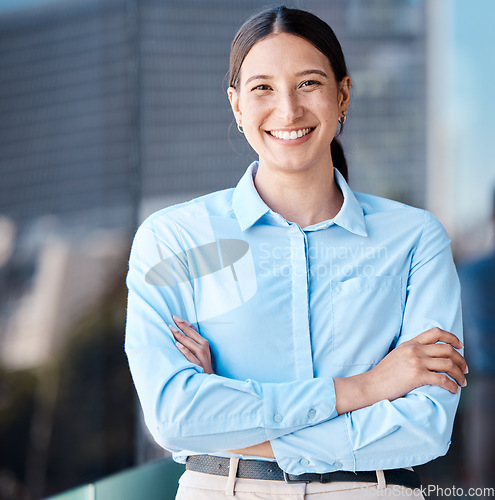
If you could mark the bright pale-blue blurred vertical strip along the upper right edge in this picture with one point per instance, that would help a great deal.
(460, 122)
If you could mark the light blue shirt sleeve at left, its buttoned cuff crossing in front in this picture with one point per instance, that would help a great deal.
(184, 408)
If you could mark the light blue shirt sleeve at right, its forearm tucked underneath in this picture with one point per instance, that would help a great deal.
(410, 430)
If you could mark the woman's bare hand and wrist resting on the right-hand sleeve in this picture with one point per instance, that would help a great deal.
(417, 362)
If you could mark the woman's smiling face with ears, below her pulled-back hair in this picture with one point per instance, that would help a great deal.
(289, 103)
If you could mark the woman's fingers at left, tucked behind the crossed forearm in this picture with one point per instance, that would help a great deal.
(191, 344)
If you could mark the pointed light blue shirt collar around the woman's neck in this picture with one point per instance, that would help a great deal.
(249, 207)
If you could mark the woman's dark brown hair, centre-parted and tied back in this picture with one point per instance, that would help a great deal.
(299, 23)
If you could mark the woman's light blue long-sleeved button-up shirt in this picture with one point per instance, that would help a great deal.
(285, 310)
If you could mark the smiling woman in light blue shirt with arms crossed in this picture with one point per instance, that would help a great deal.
(327, 313)
